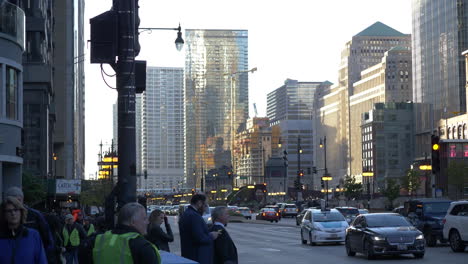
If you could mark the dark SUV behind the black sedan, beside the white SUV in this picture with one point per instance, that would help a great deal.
(427, 214)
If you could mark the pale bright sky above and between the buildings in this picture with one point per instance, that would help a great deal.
(295, 39)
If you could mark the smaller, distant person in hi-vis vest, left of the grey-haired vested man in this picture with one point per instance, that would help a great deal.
(73, 233)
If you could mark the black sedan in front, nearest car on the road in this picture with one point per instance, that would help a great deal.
(383, 234)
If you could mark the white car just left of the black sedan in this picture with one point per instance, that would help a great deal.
(327, 226)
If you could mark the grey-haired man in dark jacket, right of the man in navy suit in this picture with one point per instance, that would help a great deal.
(225, 252)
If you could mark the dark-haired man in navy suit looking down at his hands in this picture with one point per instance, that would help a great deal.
(195, 239)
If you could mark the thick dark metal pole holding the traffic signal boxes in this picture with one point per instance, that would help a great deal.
(125, 71)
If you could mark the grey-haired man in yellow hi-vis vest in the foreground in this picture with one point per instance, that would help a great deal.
(126, 243)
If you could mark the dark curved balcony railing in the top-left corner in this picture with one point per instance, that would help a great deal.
(12, 22)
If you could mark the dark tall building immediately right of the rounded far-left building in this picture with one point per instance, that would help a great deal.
(39, 112)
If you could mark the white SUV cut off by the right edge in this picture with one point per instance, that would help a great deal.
(456, 225)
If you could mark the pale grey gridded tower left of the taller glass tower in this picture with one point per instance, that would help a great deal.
(162, 129)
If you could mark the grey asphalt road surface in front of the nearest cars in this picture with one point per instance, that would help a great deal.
(263, 242)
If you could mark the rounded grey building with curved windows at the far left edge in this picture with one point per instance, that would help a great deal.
(11, 94)
